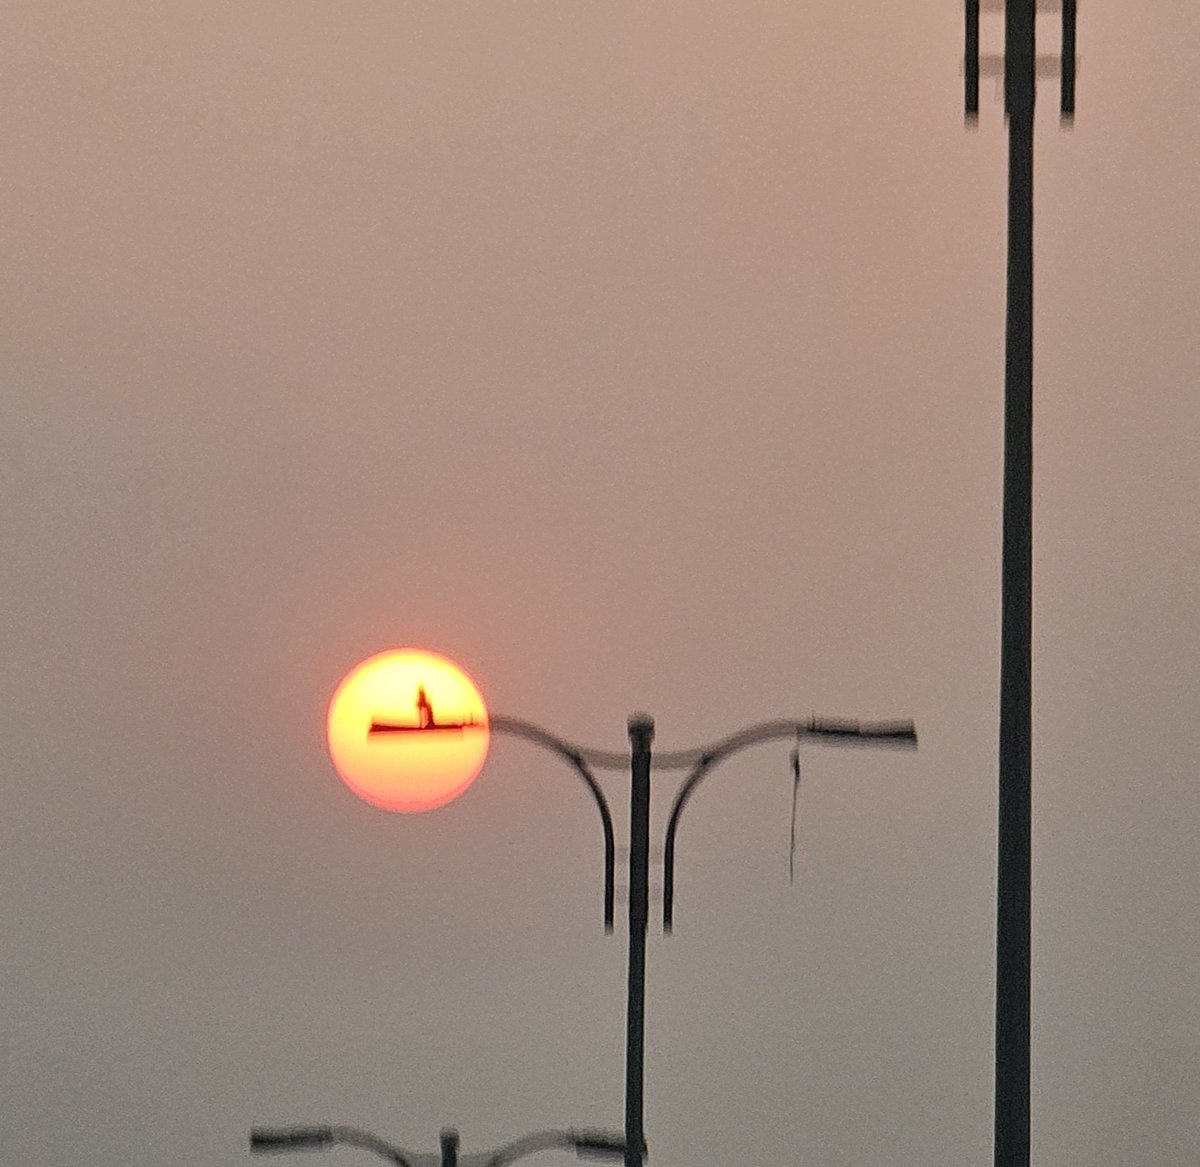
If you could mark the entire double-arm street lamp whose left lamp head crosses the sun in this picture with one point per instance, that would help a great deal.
(699, 763)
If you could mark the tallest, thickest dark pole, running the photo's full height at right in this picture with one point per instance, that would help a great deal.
(1013, 917)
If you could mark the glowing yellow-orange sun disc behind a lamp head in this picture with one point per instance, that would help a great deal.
(430, 735)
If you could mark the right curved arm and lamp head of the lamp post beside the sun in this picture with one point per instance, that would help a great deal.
(833, 731)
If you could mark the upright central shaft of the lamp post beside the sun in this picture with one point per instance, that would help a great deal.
(641, 735)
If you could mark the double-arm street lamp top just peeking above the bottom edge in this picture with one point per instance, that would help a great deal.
(598, 1145)
